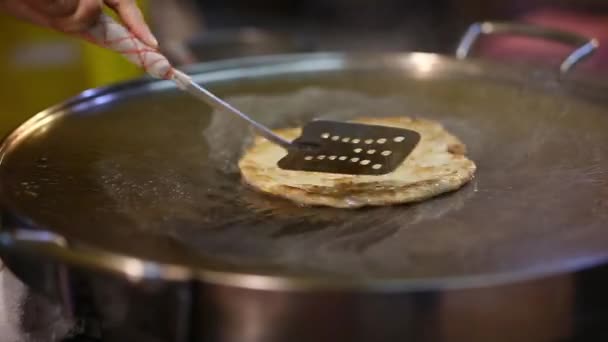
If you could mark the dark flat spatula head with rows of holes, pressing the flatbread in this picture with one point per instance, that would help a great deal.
(350, 148)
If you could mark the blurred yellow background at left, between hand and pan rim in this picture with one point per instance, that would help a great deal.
(40, 68)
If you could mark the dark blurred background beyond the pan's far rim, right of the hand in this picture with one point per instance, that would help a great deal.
(431, 25)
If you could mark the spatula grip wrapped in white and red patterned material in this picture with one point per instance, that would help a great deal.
(110, 34)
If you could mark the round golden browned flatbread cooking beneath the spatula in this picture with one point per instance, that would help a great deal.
(437, 165)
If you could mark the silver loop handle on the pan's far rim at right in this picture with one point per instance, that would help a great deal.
(585, 47)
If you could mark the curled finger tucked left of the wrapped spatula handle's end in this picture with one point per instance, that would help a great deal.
(86, 15)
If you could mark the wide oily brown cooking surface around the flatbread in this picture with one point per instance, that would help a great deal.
(152, 173)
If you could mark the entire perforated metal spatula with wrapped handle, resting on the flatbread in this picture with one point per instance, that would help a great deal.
(324, 146)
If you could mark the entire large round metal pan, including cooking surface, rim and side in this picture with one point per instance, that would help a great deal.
(139, 182)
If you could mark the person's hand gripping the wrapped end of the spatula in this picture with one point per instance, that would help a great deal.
(77, 16)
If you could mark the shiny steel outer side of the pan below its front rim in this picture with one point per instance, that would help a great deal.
(570, 307)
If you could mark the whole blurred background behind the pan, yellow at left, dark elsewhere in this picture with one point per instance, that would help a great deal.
(41, 68)
